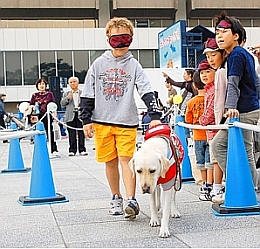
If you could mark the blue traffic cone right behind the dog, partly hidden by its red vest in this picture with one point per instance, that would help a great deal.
(186, 165)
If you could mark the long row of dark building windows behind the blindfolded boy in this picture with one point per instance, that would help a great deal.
(44, 64)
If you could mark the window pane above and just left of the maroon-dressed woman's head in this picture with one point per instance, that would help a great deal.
(30, 67)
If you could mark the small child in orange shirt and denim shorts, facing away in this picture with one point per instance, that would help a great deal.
(195, 108)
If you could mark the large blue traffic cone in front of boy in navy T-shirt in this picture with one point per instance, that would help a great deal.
(240, 195)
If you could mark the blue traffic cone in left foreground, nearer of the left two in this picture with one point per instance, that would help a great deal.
(42, 190)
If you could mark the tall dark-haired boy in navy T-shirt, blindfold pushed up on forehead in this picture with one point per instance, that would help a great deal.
(242, 91)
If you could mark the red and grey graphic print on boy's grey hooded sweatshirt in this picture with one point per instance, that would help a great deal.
(114, 83)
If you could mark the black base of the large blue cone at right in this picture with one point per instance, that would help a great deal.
(220, 210)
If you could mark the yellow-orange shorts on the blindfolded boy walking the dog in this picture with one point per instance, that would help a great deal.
(113, 141)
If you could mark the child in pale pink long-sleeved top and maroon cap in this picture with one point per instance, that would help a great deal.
(216, 58)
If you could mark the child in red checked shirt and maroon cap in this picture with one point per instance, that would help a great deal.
(207, 76)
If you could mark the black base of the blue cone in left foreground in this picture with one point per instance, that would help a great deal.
(27, 201)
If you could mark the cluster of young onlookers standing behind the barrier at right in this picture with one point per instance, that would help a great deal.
(230, 79)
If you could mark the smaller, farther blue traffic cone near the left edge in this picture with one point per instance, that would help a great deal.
(15, 159)
